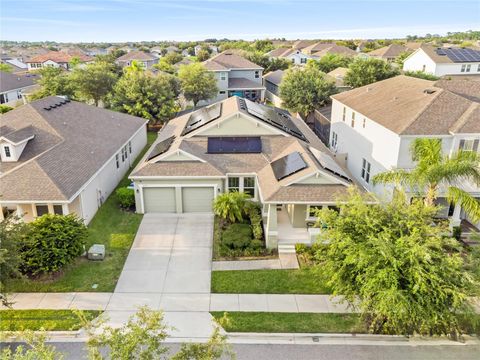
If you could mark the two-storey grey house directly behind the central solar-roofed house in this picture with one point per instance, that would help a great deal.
(236, 76)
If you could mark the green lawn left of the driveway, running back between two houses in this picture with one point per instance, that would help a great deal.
(111, 226)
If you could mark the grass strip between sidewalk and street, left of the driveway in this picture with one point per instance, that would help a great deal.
(50, 320)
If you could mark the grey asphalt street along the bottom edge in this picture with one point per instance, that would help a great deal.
(75, 350)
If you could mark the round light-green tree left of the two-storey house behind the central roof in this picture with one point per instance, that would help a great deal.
(197, 82)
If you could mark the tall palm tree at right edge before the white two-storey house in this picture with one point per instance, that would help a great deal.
(434, 169)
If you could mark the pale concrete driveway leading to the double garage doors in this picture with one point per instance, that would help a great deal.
(168, 268)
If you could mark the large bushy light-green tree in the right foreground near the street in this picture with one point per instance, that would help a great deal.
(395, 265)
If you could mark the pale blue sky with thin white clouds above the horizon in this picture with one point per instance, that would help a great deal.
(190, 20)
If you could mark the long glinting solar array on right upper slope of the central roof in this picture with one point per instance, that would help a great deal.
(273, 116)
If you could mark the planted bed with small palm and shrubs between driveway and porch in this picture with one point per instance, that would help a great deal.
(238, 229)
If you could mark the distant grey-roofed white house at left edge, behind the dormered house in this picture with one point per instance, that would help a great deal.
(13, 86)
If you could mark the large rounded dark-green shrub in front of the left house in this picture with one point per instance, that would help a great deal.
(52, 242)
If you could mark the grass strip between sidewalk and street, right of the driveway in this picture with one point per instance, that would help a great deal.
(291, 322)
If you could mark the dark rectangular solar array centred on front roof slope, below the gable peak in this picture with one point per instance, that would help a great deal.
(234, 145)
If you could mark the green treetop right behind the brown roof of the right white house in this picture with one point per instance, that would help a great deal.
(367, 71)
